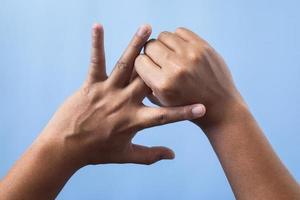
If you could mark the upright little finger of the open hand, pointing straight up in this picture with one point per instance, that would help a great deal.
(97, 70)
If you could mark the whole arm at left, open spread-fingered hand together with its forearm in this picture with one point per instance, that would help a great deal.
(94, 126)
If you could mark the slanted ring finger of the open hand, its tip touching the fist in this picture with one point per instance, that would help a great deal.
(123, 69)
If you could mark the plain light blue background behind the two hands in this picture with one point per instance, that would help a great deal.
(44, 54)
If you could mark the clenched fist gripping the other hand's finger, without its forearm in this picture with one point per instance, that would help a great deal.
(181, 68)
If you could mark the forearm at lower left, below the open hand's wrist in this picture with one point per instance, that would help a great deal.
(40, 173)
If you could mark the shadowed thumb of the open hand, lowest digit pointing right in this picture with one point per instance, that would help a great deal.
(149, 155)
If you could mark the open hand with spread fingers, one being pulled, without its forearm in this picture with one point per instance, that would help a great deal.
(99, 121)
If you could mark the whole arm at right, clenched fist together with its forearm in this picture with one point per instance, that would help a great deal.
(182, 68)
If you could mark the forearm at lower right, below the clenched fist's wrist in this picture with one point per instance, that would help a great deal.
(251, 166)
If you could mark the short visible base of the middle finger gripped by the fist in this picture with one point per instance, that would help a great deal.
(138, 89)
